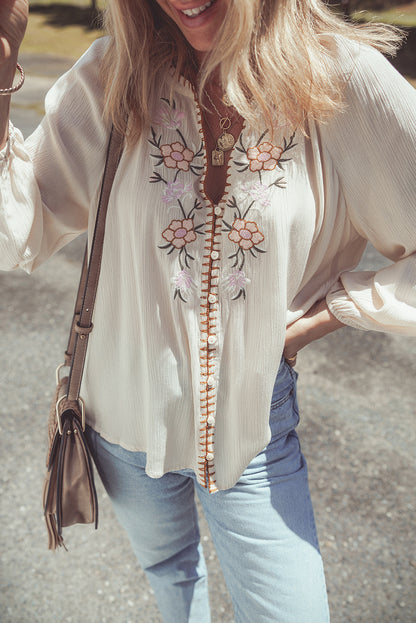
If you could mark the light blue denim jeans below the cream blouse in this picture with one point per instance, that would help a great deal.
(263, 528)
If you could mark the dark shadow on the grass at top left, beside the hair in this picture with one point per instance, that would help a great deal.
(60, 15)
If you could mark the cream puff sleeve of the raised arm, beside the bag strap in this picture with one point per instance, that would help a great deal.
(48, 183)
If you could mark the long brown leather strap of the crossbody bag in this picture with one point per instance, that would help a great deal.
(84, 307)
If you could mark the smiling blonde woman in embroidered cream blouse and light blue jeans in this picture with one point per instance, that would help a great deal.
(237, 214)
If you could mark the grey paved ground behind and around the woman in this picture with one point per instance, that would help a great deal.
(357, 396)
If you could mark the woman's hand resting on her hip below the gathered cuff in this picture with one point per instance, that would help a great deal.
(316, 323)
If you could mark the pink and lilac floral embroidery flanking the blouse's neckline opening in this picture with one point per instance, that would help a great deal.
(243, 231)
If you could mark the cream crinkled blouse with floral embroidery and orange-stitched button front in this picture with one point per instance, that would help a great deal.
(194, 298)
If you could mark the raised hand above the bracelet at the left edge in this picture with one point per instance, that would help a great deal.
(13, 22)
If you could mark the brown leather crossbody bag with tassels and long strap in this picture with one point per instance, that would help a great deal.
(69, 495)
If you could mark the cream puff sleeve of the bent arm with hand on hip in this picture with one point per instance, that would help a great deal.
(372, 144)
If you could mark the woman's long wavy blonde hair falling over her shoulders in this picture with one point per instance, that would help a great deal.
(271, 56)
